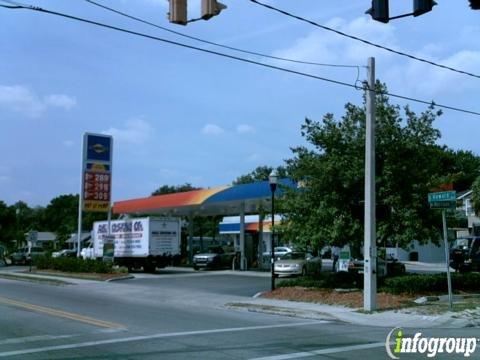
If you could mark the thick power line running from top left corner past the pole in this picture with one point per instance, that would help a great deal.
(151, 37)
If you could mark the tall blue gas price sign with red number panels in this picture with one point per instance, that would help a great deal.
(97, 172)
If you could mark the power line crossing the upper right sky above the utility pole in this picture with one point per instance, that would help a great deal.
(365, 41)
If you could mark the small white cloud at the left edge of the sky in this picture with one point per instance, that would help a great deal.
(22, 99)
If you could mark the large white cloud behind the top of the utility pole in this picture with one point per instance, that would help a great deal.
(403, 76)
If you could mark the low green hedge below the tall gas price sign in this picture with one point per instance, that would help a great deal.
(73, 265)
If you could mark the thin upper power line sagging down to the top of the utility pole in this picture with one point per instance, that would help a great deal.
(215, 43)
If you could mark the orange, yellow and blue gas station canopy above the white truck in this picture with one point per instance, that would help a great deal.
(223, 200)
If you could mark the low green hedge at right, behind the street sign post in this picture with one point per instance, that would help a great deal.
(418, 284)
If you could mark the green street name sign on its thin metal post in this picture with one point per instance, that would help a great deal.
(445, 200)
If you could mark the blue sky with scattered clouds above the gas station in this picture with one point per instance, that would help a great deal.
(181, 116)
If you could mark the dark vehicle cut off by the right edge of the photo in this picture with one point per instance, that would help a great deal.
(465, 254)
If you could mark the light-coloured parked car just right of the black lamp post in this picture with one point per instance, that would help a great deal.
(297, 263)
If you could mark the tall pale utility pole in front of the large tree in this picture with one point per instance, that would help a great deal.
(370, 241)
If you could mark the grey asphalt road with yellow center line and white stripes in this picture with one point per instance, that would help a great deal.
(169, 316)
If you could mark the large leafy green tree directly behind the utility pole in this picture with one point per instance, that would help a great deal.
(330, 206)
